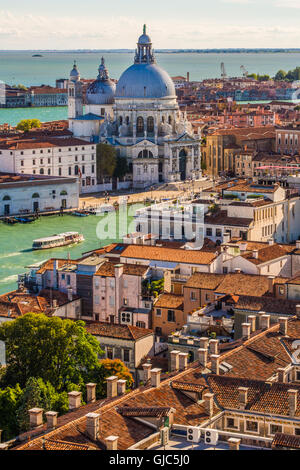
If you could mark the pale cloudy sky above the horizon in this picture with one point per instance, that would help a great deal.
(172, 24)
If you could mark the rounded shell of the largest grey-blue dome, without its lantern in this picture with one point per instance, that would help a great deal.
(145, 81)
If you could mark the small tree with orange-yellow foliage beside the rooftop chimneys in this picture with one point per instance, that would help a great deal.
(108, 368)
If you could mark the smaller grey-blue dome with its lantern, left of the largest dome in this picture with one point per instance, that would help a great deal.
(102, 90)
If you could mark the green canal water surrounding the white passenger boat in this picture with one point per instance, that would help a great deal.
(16, 241)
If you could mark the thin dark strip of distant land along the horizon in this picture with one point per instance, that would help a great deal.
(161, 51)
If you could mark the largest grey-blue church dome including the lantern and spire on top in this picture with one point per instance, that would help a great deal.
(145, 79)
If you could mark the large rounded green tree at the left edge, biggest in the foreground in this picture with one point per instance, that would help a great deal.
(58, 351)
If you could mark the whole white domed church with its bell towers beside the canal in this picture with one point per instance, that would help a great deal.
(140, 117)
